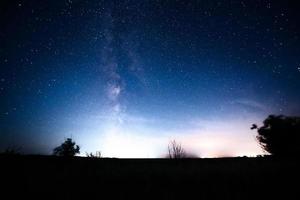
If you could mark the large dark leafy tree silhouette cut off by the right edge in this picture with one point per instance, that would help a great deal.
(280, 135)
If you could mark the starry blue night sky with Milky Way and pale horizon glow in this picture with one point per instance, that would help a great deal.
(127, 77)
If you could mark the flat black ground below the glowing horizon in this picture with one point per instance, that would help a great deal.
(47, 177)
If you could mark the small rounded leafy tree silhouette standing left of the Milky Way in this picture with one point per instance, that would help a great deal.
(67, 149)
